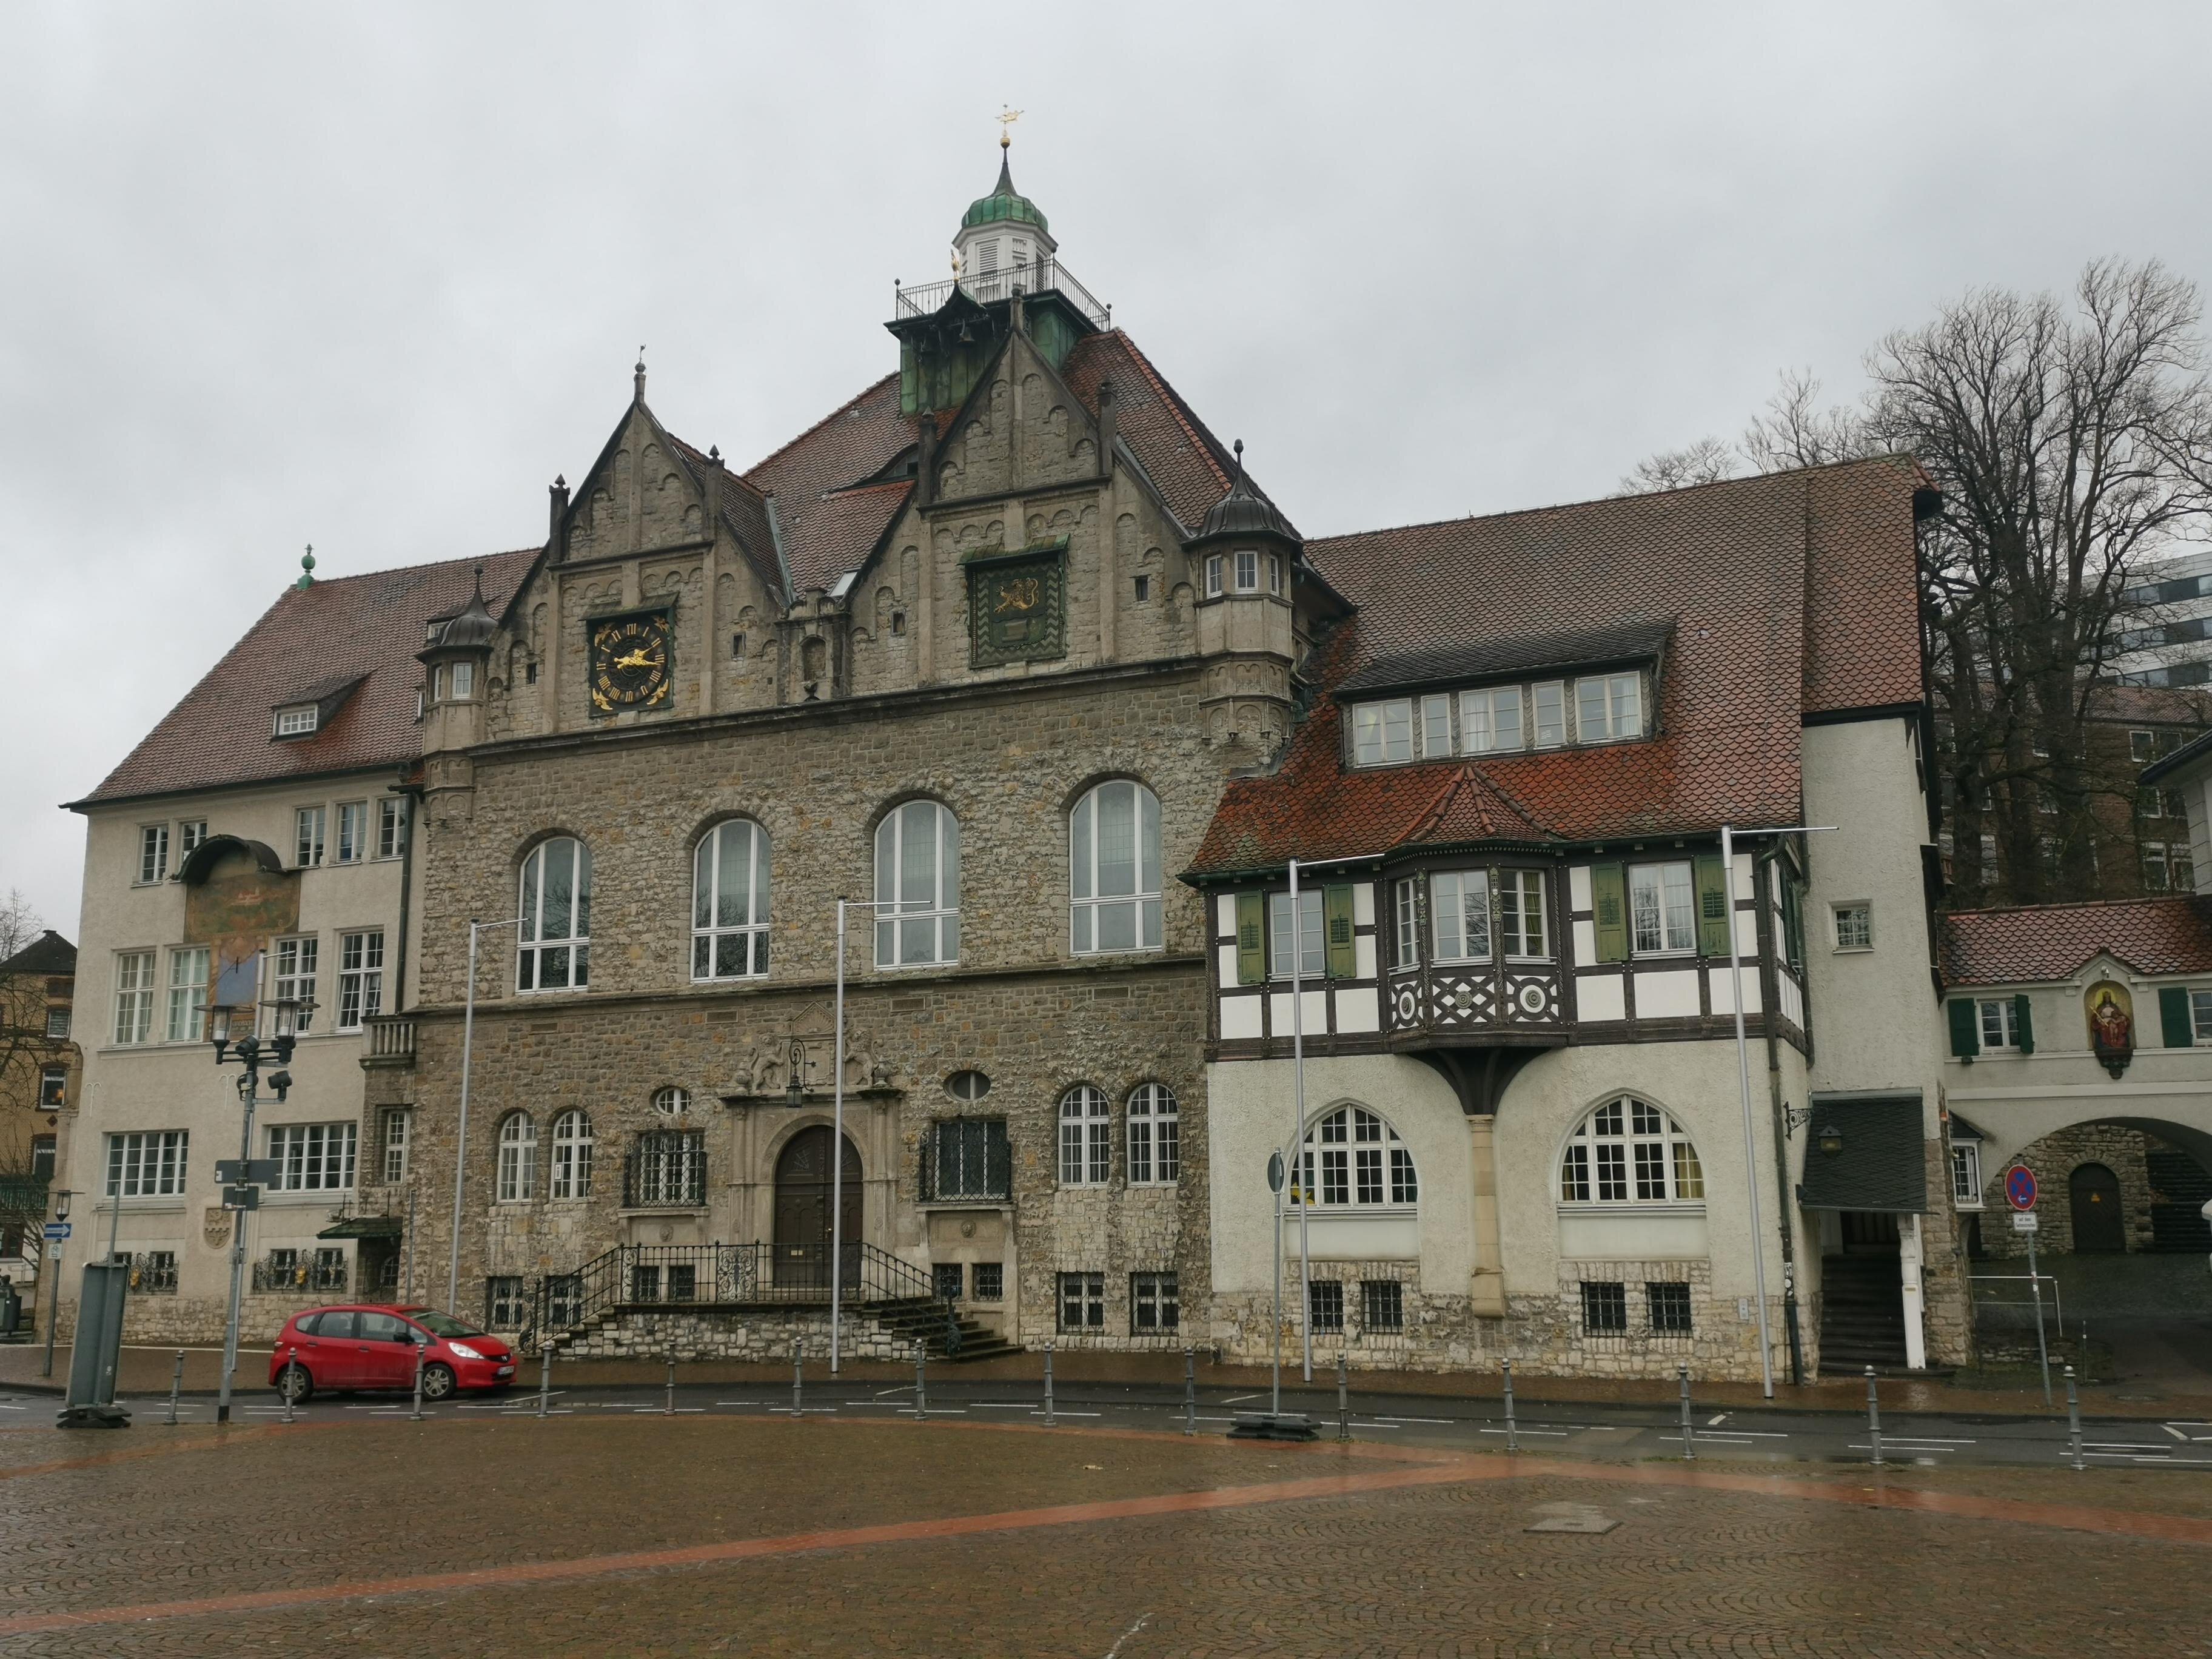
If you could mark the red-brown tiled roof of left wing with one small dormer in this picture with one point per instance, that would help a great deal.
(346, 629)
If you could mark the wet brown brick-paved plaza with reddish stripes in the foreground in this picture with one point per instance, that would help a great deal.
(676, 1536)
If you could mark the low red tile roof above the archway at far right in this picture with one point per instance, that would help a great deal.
(2036, 943)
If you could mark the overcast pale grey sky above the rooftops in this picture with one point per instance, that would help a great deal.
(368, 278)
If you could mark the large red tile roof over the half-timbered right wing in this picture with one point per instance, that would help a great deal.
(1733, 570)
